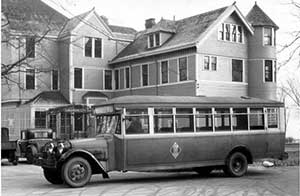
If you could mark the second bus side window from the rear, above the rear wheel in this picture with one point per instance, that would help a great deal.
(256, 118)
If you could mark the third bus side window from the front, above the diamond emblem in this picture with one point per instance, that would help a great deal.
(184, 120)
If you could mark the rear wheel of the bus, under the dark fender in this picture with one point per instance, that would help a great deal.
(236, 165)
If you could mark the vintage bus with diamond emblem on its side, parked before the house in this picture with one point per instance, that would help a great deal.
(146, 133)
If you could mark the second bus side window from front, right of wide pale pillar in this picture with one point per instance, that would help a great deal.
(163, 121)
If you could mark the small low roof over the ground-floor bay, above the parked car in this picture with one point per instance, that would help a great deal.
(48, 97)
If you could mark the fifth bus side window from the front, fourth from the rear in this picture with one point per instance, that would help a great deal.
(222, 119)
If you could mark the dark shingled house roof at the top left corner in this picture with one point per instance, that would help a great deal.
(32, 17)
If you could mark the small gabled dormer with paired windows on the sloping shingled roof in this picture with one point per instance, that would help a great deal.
(158, 34)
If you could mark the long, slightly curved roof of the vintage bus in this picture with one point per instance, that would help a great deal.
(188, 101)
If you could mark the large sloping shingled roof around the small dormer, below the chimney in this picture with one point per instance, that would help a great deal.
(188, 30)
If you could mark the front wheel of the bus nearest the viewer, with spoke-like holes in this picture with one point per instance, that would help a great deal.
(76, 172)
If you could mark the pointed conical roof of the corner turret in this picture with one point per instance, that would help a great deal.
(257, 17)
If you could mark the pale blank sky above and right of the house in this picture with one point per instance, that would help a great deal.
(133, 13)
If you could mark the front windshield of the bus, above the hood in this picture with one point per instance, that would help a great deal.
(108, 124)
